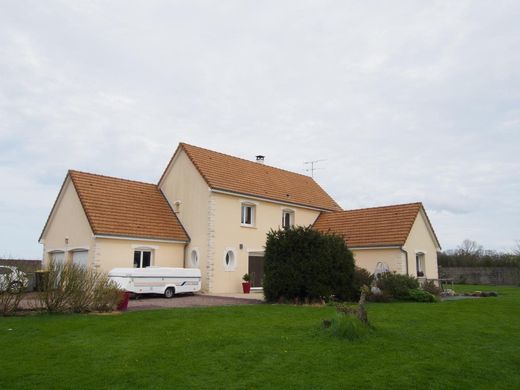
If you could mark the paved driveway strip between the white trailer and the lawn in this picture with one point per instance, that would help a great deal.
(187, 300)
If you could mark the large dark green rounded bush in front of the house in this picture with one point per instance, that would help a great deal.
(306, 265)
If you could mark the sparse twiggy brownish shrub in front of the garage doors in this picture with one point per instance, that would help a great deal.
(74, 288)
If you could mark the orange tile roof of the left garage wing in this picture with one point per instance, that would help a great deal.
(126, 208)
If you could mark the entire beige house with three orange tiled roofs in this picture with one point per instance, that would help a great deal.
(212, 211)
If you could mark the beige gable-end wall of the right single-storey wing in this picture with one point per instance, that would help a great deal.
(421, 240)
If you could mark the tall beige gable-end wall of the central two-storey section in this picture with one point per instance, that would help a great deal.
(183, 183)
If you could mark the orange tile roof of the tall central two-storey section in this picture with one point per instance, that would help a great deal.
(233, 174)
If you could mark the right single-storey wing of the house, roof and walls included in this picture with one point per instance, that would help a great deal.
(399, 236)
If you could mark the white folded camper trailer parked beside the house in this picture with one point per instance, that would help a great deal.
(157, 280)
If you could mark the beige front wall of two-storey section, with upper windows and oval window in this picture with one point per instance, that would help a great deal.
(229, 234)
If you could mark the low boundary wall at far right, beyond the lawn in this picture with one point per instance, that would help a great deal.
(482, 275)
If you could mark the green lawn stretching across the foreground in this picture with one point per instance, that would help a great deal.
(458, 344)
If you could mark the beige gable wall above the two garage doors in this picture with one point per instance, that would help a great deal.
(68, 221)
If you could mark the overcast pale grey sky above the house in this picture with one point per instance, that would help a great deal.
(405, 100)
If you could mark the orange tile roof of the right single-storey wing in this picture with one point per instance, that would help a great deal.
(377, 226)
